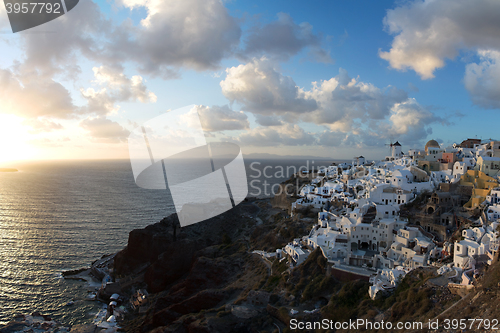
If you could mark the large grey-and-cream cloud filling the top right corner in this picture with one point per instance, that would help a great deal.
(431, 31)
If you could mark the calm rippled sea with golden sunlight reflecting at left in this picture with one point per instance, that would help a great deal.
(63, 215)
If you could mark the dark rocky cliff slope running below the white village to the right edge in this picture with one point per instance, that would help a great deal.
(208, 280)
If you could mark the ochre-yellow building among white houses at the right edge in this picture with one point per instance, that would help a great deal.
(481, 183)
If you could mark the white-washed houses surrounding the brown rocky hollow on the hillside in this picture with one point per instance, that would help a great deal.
(366, 231)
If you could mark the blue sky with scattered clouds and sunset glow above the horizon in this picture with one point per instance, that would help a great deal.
(335, 79)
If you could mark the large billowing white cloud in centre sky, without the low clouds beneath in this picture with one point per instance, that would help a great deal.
(337, 102)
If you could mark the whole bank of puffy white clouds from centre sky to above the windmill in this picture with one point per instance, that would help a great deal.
(354, 112)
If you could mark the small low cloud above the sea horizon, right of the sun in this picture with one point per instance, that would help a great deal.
(105, 130)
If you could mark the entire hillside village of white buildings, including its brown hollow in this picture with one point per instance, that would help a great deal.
(369, 226)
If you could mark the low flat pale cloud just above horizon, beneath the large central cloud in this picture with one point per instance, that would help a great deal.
(287, 135)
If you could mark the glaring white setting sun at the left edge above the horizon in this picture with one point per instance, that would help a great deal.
(13, 140)
